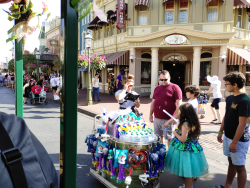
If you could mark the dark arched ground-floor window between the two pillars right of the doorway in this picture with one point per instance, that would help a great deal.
(205, 70)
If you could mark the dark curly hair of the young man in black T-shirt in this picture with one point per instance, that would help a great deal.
(236, 78)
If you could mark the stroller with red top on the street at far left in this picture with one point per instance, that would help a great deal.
(38, 94)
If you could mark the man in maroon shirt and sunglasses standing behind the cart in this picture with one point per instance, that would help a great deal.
(166, 96)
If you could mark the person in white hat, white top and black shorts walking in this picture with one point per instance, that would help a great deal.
(217, 97)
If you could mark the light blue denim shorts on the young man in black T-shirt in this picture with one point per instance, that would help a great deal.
(238, 158)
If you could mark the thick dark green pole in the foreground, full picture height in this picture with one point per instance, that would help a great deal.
(69, 97)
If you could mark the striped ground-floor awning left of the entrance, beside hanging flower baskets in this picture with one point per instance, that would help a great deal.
(117, 58)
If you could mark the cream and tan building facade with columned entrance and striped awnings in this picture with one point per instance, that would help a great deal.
(189, 38)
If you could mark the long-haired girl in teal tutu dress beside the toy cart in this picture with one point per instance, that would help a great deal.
(185, 156)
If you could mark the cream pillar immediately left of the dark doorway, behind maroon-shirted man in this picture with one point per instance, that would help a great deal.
(154, 69)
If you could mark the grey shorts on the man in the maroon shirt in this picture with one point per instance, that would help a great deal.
(159, 125)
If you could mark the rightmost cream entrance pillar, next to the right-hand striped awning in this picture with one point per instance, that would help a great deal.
(222, 68)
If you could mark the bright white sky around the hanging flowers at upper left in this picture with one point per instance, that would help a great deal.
(53, 7)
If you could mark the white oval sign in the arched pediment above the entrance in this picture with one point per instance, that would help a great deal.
(175, 40)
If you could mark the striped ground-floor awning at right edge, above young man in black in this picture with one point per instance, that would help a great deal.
(238, 56)
